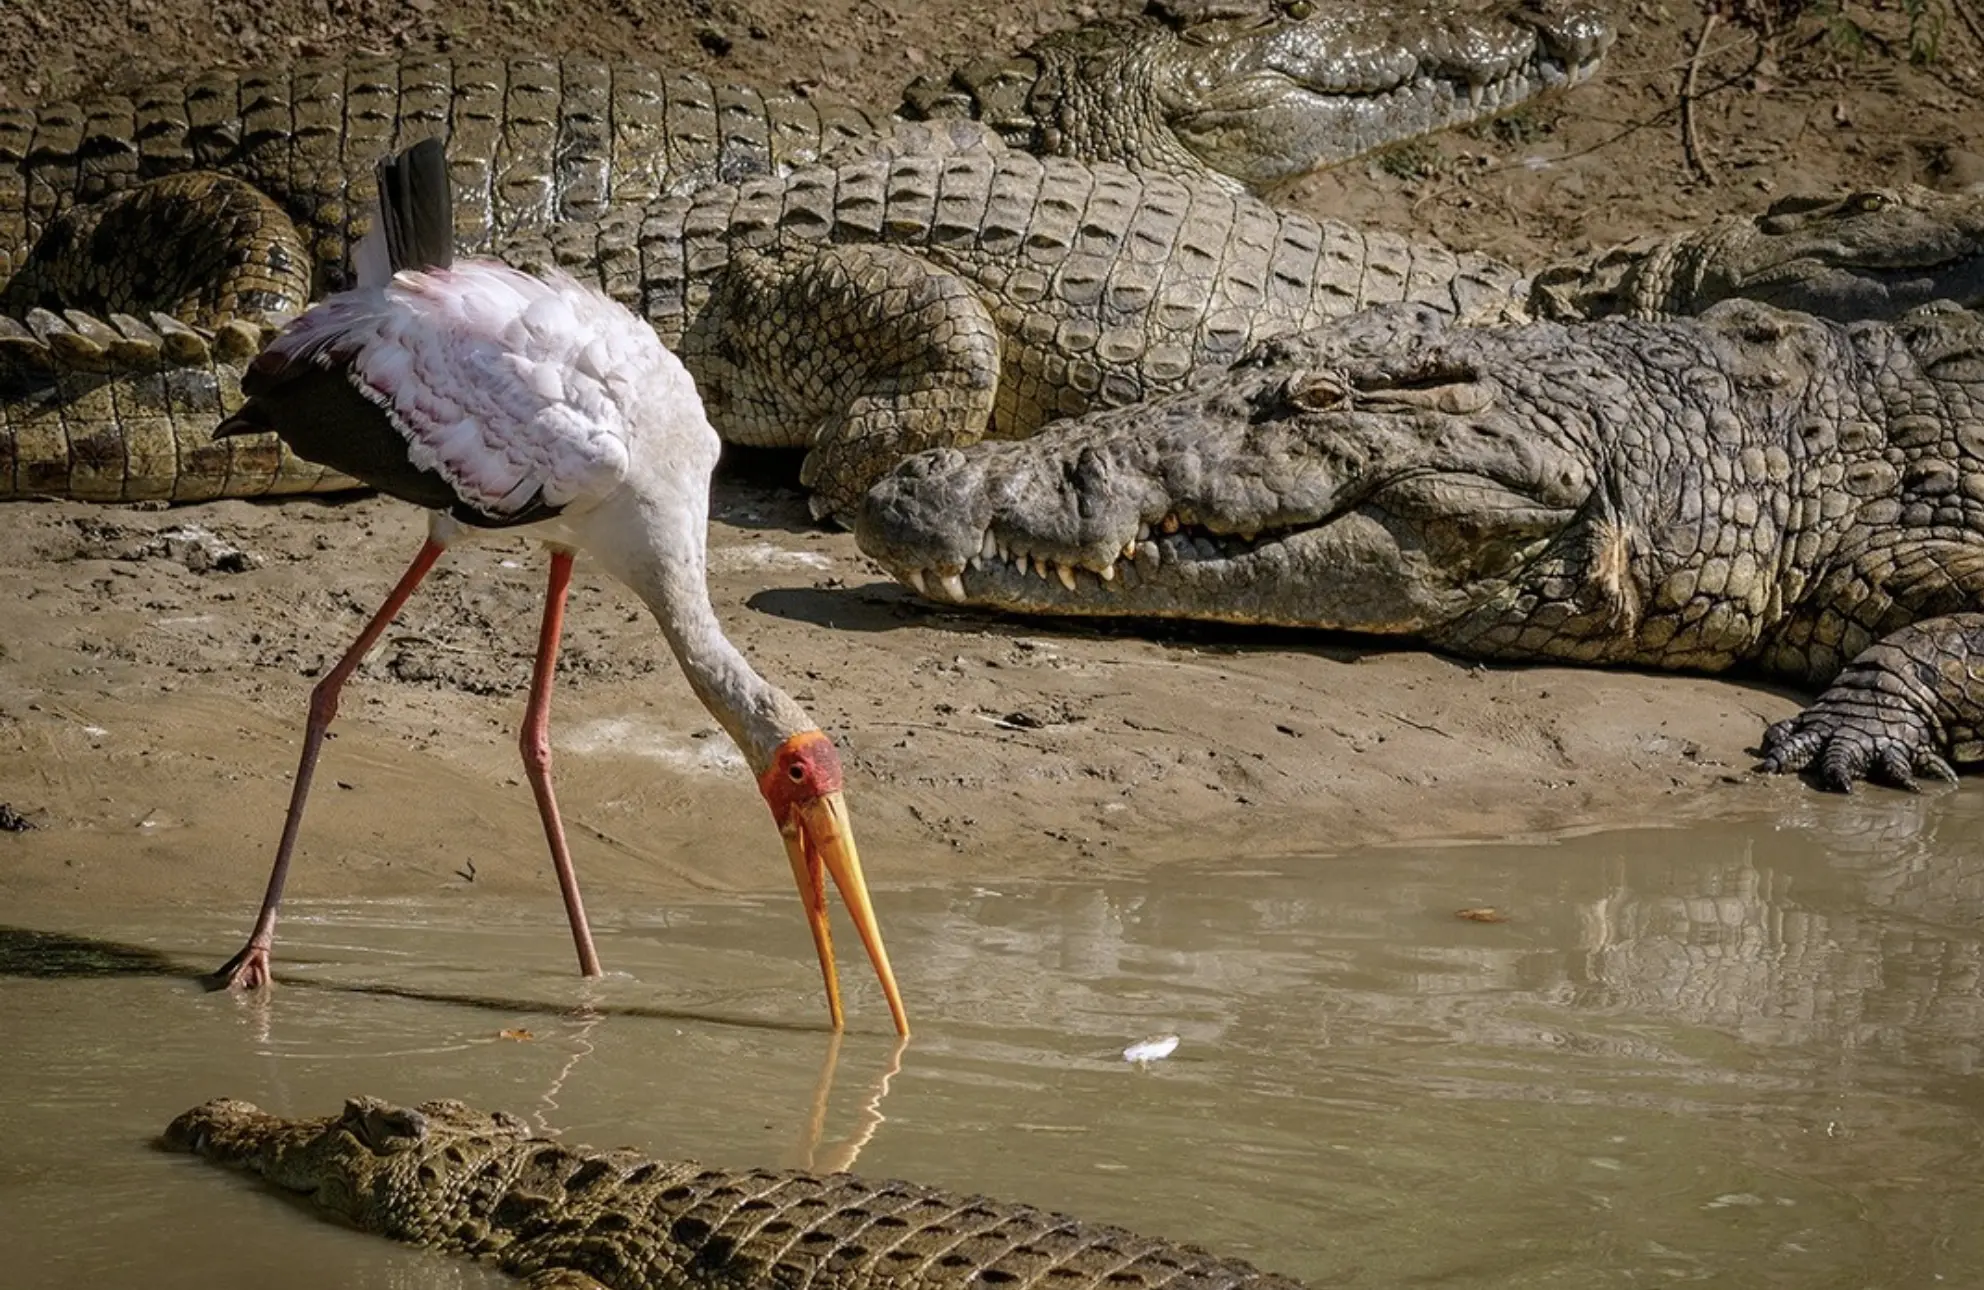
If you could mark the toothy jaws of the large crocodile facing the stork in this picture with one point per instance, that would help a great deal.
(1031, 533)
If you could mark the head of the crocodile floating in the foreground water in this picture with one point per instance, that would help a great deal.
(376, 1166)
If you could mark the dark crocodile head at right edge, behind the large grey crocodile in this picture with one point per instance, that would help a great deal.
(1870, 255)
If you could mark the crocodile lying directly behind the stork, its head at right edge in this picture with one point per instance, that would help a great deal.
(1045, 289)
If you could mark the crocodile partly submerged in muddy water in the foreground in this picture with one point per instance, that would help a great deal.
(477, 1184)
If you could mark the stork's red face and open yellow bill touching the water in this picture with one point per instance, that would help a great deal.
(805, 791)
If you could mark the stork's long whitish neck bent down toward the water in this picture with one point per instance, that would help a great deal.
(755, 713)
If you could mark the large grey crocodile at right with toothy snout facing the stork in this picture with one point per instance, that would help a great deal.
(1747, 491)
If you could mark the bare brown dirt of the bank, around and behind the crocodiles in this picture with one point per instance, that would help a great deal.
(156, 664)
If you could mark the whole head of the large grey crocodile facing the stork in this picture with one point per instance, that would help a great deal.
(1368, 477)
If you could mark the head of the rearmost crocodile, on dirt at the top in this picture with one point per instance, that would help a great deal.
(1259, 92)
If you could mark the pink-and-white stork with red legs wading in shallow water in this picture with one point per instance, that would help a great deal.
(503, 400)
